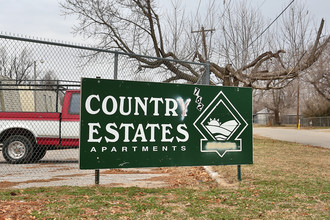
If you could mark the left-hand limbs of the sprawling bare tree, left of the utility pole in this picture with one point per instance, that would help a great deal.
(130, 26)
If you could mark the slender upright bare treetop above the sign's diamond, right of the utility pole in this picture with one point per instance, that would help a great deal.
(239, 31)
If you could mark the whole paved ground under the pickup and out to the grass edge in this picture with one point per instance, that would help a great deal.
(60, 168)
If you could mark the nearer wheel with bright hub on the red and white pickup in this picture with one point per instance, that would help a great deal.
(17, 149)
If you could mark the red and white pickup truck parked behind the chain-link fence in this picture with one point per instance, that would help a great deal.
(26, 136)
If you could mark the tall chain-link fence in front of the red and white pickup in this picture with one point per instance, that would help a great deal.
(40, 99)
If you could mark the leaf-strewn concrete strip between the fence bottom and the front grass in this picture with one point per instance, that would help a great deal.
(70, 175)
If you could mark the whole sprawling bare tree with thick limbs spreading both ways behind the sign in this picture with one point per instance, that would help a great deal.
(135, 27)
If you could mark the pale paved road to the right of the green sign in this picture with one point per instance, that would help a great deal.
(314, 137)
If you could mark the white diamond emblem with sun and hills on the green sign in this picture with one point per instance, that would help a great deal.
(221, 125)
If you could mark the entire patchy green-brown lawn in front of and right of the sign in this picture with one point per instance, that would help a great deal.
(286, 181)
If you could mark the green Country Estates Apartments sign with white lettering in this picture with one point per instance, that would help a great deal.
(127, 124)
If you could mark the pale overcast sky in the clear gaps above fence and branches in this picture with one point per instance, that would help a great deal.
(43, 19)
